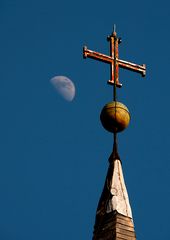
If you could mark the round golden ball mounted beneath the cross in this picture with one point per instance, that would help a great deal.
(115, 117)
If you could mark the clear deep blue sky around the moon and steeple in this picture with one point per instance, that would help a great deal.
(54, 153)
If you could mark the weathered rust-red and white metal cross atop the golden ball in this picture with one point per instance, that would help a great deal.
(114, 60)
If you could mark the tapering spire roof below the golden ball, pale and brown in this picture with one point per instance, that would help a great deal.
(114, 217)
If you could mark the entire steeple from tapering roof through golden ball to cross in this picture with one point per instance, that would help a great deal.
(114, 216)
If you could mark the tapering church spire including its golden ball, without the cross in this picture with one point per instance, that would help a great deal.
(114, 216)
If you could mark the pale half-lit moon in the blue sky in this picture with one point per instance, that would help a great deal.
(64, 86)
